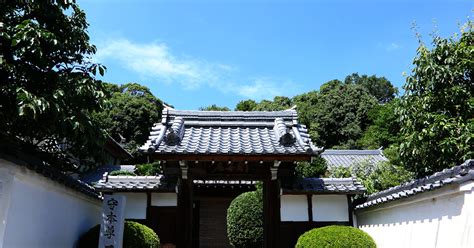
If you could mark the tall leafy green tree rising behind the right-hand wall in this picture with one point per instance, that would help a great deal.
(436, 111)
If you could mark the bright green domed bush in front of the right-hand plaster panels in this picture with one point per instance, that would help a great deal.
(335, 236)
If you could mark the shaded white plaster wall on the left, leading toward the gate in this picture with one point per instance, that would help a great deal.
(38, 212)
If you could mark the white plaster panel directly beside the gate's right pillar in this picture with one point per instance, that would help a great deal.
(294, 208)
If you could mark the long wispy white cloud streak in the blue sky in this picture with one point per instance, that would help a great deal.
(155, 61)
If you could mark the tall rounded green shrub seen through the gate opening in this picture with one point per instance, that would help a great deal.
(245, 220)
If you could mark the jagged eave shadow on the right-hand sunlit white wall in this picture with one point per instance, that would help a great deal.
(413, 210)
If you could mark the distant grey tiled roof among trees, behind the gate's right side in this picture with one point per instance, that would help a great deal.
(347, 158)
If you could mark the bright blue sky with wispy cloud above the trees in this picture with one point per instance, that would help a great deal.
(198, 53)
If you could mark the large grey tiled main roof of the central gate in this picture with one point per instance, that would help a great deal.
(229, 133)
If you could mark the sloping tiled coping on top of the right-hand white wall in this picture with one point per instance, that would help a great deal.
(454, 175)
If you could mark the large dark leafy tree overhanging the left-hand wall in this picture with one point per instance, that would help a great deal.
(48, 88)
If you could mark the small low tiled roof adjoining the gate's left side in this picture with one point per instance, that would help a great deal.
(135, 183)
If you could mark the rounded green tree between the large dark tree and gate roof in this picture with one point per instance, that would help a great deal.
(132, 112)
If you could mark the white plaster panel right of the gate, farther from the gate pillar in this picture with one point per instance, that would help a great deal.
(330, 208)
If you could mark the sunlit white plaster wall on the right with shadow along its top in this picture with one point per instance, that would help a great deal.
(441, 218)
